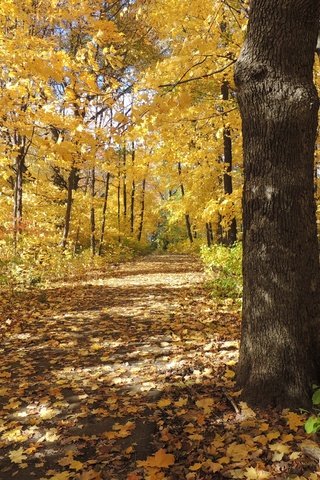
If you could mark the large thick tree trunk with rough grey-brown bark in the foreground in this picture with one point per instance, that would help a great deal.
(279, 104)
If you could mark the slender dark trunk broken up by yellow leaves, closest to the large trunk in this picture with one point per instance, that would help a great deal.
(230, 236)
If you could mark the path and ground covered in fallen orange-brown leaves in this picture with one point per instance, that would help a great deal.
(128, 374)
